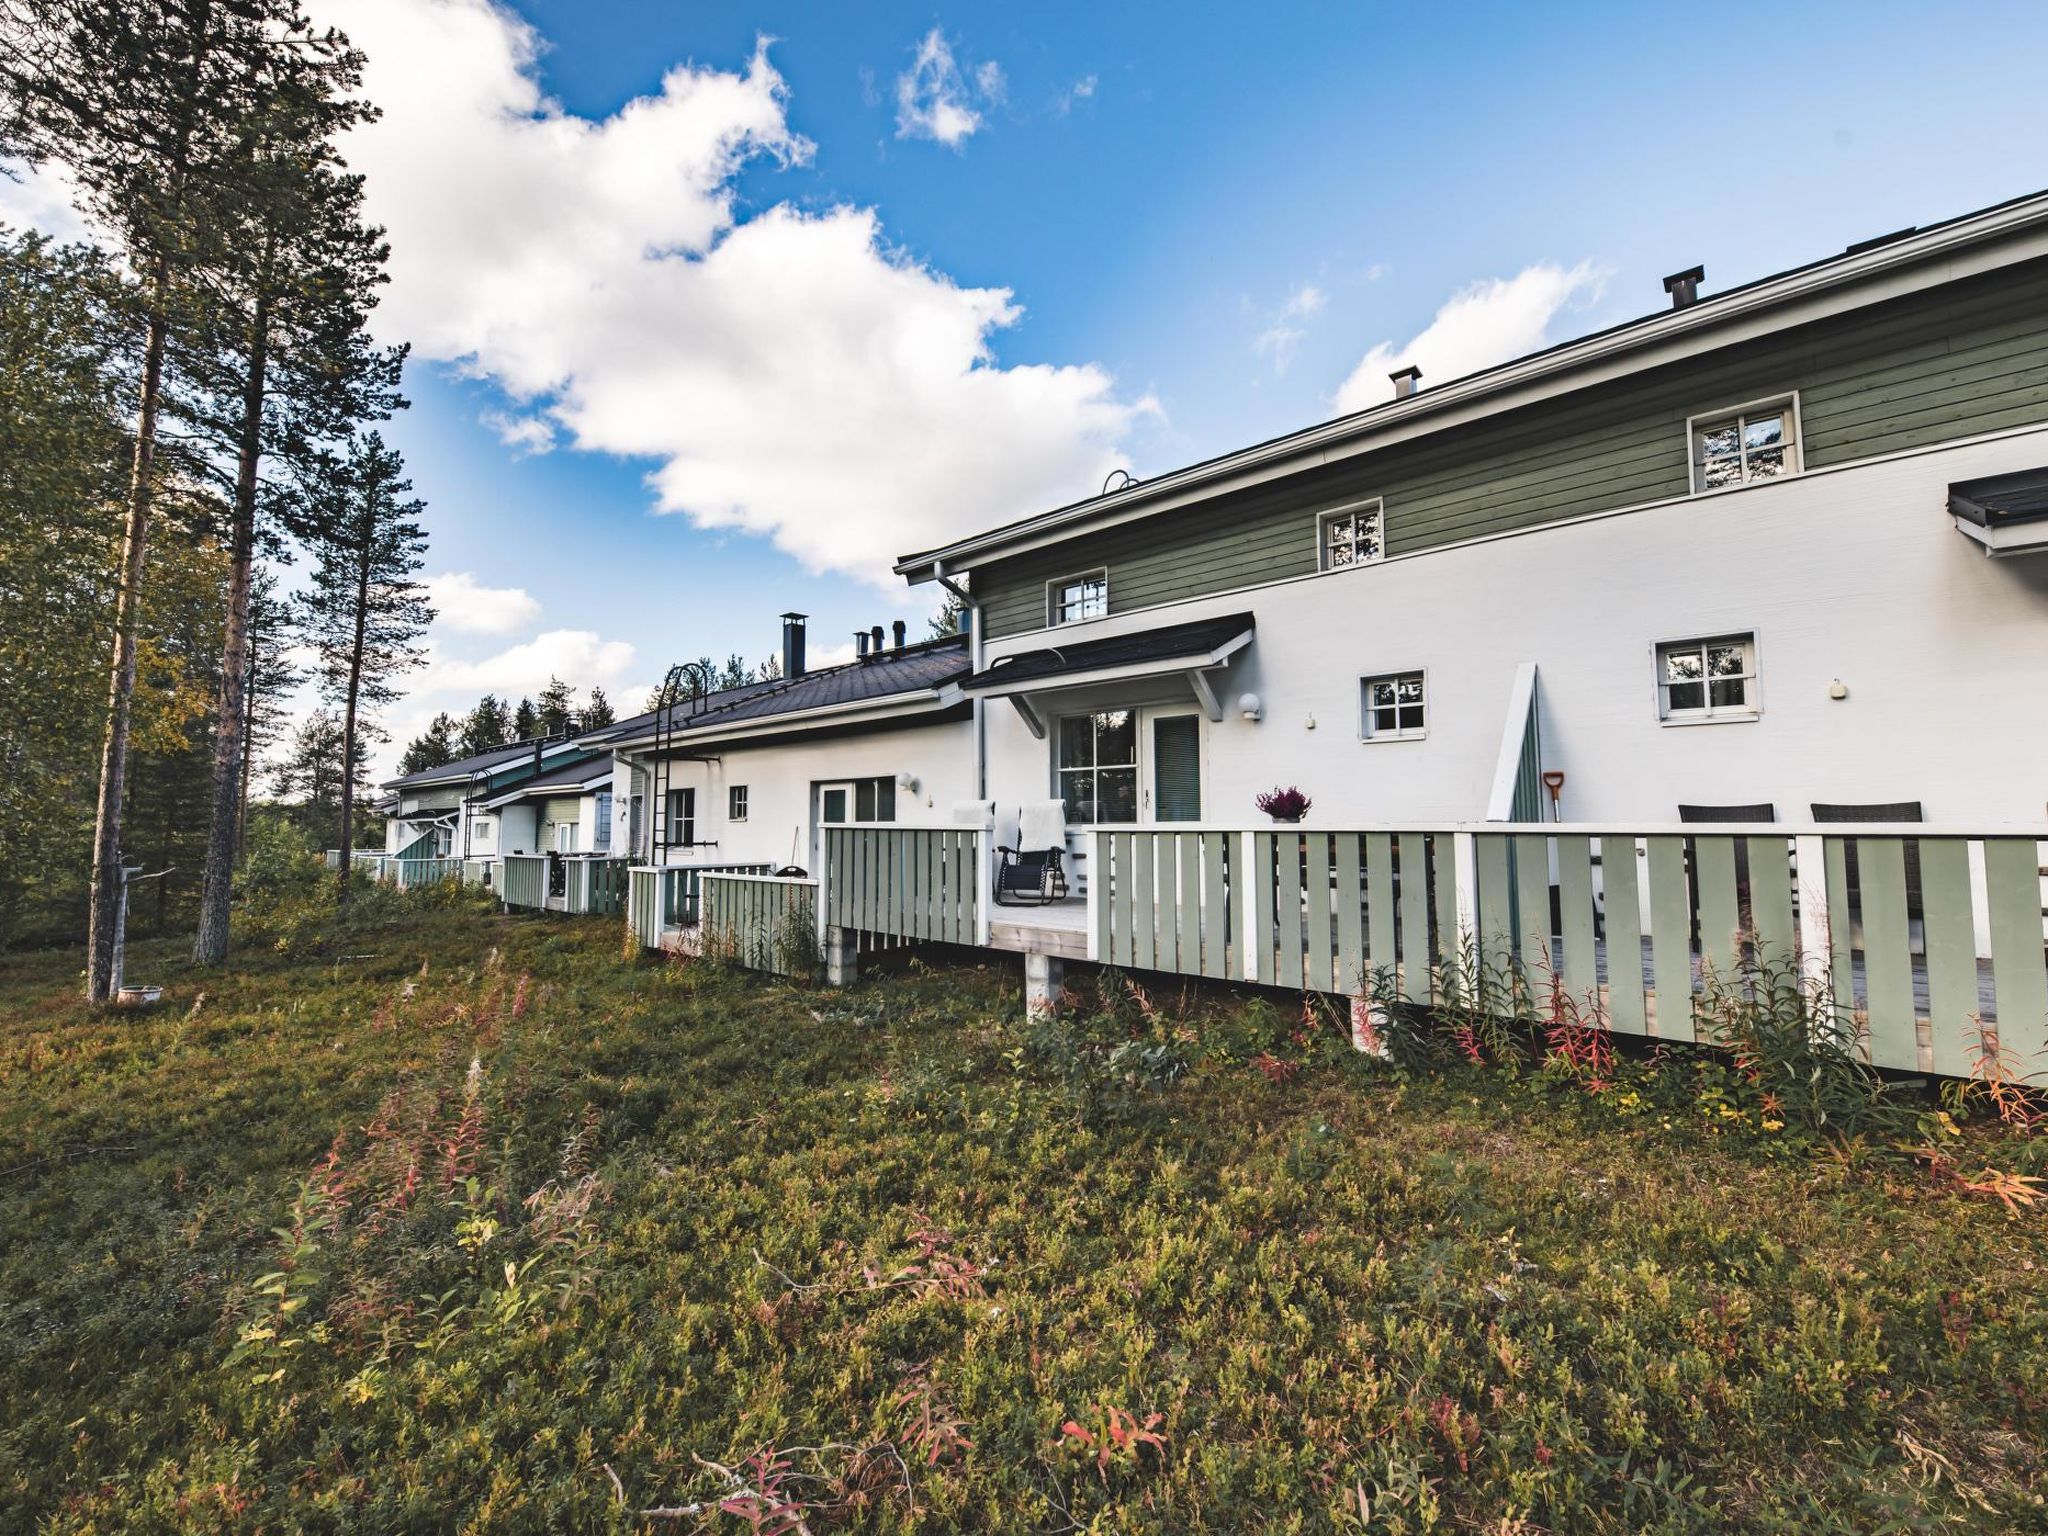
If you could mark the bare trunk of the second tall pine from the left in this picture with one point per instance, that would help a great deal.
(216, 890)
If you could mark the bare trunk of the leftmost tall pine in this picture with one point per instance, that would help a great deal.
(105, 921)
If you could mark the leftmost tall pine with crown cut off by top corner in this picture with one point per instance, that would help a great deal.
(144, 108)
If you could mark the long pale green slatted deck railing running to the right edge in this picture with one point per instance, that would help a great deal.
(1930, 935)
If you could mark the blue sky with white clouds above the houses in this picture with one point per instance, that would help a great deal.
(1207, 218)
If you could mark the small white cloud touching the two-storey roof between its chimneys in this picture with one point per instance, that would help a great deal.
(1480, 327)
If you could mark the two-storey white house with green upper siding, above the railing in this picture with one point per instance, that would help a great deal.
(1760, 550)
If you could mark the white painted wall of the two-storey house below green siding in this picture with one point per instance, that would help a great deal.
(1852, 574)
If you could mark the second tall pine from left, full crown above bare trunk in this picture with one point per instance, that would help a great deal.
(284, 359)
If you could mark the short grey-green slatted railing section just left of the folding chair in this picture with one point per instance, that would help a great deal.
(908, 884)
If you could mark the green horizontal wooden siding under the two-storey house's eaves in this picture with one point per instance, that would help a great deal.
(1971, 357)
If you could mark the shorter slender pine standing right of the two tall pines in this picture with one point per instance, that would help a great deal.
(366, 613)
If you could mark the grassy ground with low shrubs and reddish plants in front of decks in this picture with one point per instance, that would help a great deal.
(460, 1224)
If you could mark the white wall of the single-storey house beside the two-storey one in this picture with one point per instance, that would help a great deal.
(781, 781)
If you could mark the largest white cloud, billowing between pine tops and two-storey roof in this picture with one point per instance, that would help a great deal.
(792, 374)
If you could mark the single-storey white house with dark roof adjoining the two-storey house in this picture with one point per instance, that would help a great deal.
(751, 775)
